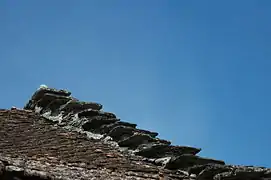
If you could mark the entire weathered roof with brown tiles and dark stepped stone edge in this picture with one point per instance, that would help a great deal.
(56, 136)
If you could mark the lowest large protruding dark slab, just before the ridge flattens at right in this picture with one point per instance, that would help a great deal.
(188, 160)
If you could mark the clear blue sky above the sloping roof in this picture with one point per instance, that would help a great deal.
(197, 72)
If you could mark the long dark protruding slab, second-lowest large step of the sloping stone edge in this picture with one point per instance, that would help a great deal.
(163, 150)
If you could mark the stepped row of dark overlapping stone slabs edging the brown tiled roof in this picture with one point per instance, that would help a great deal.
(88, 118)
